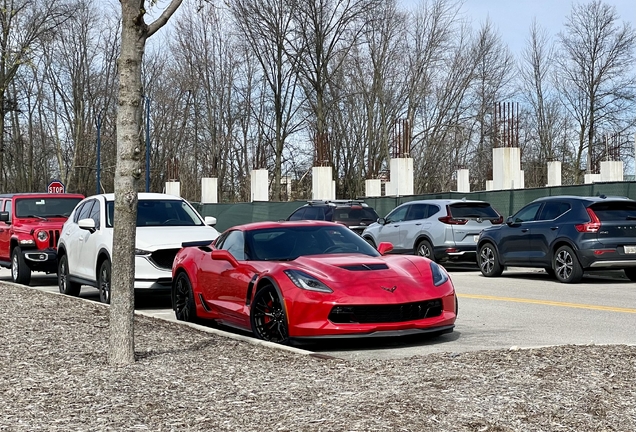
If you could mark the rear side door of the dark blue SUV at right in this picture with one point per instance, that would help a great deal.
(544, 231)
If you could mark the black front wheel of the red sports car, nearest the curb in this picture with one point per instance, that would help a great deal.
(269, 321)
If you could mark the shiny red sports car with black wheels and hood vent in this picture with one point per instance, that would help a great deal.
(297, 280)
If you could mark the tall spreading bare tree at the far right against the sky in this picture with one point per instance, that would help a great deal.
(595, 76)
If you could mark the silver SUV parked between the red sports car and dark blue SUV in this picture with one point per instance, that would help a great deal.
(442, 230)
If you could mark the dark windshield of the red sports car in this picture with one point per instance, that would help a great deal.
(287, 243)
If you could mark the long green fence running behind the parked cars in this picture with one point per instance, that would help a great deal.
(505, 201)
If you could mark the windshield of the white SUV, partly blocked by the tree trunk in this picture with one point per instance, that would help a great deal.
(159, 213)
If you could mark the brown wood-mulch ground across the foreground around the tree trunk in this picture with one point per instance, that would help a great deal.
(54, 376)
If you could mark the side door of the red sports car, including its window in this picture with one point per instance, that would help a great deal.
(224, 285)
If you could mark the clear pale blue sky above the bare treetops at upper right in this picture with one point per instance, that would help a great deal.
(512, 18)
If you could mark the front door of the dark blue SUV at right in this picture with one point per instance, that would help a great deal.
(515, 235)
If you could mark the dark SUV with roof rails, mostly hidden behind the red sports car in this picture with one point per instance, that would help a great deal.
(355, 214)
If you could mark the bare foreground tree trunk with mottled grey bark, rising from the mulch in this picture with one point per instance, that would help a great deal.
(134, 34)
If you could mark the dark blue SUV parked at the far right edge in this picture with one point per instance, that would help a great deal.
(565, 235)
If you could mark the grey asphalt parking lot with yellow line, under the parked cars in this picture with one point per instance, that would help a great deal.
(523, 308)
